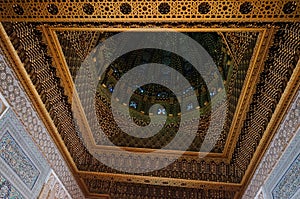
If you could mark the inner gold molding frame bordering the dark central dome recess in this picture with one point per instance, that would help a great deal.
(254, 69)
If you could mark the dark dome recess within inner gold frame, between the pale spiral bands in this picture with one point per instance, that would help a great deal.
(222, 52)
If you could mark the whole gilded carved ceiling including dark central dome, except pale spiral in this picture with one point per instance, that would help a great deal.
(254, 44)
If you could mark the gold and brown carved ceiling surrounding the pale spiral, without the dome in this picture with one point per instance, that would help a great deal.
(262, 38)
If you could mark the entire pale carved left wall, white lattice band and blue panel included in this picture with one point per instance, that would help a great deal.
(27, 152)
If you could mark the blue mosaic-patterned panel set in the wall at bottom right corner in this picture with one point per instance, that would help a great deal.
(289, 183)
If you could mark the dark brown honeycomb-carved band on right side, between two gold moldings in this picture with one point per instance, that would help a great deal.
(282, 59)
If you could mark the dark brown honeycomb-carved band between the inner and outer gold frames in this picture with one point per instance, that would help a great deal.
(276, 73)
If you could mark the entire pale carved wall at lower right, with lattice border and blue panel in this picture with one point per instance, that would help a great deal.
(277, 176)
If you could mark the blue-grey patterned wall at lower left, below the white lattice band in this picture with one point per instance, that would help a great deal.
(24, 171)
